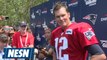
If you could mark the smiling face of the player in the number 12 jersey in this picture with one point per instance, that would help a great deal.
(62, 17)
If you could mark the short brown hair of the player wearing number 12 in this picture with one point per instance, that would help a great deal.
(58, 5)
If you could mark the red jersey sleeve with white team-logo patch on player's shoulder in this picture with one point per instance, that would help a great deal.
(86, 35)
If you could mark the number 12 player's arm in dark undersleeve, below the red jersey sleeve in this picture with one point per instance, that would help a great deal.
(96, 52)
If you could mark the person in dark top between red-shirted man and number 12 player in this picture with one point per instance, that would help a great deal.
(47, 52)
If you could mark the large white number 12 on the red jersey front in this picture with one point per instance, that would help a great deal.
(64, 46)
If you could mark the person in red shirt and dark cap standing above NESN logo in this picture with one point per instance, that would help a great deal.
(22, 38)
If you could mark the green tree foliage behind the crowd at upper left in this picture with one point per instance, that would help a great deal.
(17, 10)
